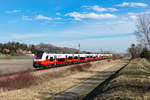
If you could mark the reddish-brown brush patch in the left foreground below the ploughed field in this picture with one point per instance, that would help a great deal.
(18, 80)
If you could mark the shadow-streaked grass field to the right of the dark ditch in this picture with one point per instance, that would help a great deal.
(132, 83)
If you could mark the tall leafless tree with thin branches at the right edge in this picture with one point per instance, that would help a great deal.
(143, 30)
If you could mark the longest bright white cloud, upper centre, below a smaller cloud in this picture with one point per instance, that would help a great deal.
(92, 15)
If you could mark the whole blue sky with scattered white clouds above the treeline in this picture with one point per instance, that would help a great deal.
(95, 24)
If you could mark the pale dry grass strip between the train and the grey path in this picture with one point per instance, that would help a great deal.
(55, 80)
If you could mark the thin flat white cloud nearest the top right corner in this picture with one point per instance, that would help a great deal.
(132, 4)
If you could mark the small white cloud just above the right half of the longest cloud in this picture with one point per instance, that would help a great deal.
(100, 9)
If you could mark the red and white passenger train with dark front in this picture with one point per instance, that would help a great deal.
(43, 59)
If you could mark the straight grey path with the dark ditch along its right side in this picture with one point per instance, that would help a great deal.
(87, 89)
